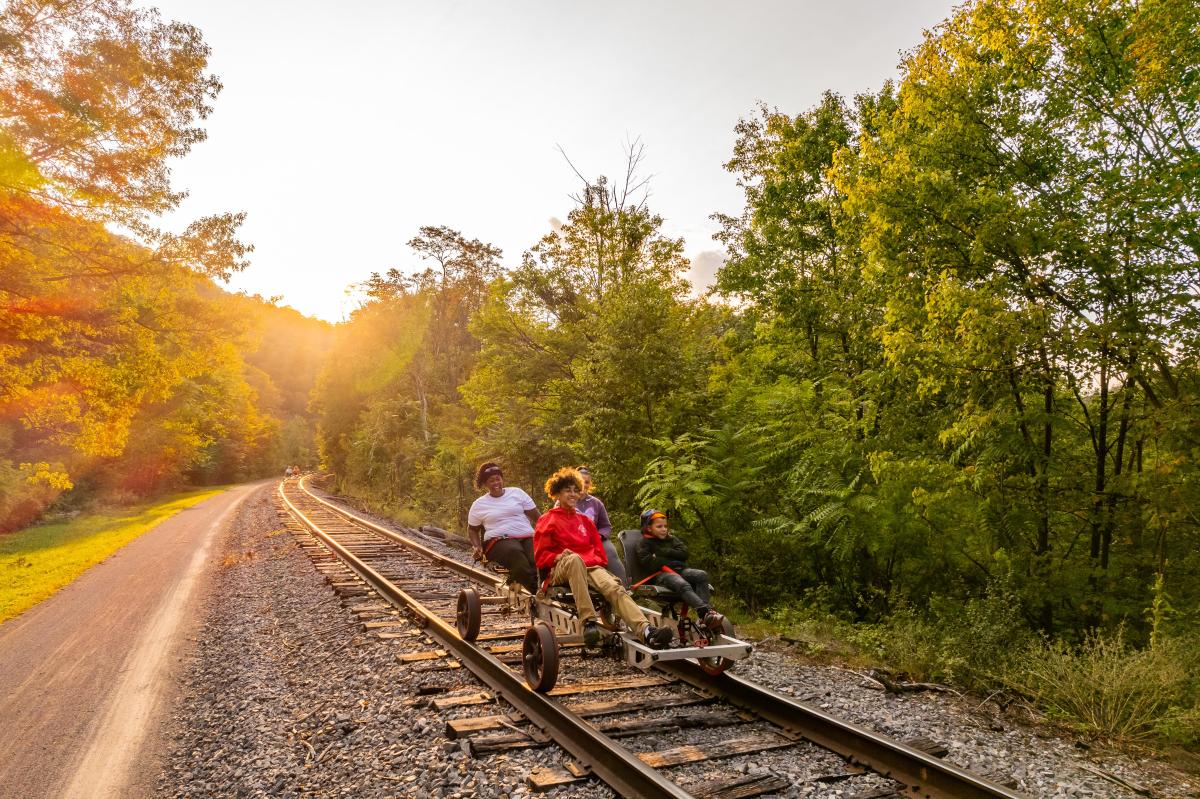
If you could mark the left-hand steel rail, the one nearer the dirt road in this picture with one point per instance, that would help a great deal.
(623, 771)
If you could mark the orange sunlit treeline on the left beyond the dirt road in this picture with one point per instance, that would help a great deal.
(124, 369)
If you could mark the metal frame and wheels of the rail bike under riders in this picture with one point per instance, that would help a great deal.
(555, 621)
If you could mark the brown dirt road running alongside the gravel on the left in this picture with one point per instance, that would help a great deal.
(87, 676)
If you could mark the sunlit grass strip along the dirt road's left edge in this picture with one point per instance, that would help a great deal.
(39, 561)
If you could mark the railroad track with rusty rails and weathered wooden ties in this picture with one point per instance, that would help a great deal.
(646, 735)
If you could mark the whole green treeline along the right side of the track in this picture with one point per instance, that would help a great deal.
(951, 362)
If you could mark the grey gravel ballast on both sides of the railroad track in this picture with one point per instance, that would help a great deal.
(287, 696)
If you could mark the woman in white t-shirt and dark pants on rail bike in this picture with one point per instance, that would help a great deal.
(501, 526)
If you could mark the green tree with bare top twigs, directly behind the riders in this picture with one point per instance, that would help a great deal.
(591, 349)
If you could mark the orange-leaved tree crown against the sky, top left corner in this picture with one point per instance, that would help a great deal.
(99, 95)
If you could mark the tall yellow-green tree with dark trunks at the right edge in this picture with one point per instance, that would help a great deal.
(1030, 203)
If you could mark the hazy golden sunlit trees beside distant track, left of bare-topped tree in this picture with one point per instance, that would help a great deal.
(392, 422)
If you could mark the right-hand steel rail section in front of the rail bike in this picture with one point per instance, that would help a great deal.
(923, 776)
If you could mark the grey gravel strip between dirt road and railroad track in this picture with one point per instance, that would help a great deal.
(286, 696)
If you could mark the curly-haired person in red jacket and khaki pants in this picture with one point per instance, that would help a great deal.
(568, 548)
